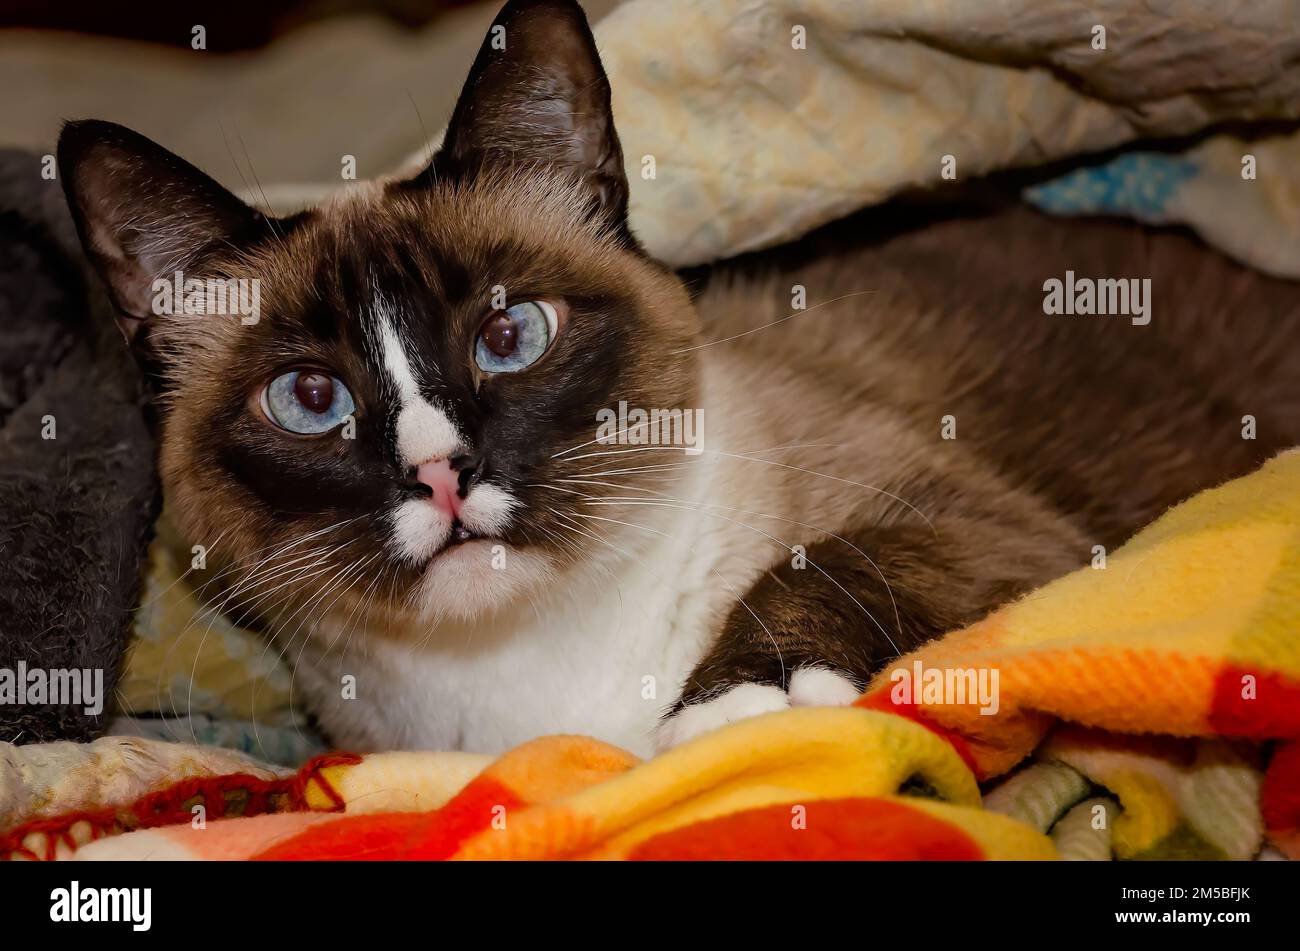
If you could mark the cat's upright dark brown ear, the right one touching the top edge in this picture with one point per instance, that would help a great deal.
(538, 94)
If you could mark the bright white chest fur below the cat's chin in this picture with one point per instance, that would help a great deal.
(604, 658)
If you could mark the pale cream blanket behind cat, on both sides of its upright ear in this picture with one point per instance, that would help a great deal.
(761, 119)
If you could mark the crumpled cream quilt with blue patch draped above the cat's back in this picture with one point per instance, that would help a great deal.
(749, 123)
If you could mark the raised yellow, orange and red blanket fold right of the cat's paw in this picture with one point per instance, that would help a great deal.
(1190, 631)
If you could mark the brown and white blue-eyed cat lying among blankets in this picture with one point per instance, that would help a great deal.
(404, 474)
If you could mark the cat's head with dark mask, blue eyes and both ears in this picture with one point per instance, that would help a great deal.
(396, 398)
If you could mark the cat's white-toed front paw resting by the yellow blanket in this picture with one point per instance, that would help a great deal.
(811, 687)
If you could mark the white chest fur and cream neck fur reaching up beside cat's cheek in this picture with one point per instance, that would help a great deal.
(604, 657)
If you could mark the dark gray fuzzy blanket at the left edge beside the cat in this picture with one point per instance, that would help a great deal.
(79, 488)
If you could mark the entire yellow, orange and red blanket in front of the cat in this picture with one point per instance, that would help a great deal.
(1145, 707)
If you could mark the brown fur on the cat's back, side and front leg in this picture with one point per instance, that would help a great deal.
(1072, 432)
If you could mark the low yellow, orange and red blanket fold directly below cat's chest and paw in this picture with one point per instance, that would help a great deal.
(813, 784)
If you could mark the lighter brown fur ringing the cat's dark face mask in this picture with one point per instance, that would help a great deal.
(539, 240)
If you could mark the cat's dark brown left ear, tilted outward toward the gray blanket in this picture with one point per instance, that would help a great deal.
(145, 214)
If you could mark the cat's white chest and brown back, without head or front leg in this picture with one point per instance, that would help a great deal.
(1104, 425)
